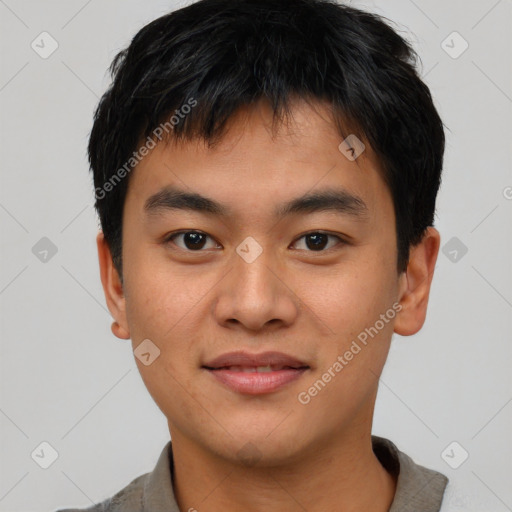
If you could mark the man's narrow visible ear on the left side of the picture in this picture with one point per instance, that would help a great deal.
(113, 289)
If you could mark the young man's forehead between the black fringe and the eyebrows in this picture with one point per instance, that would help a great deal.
(252, 167)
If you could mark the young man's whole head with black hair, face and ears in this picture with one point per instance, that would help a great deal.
(235, 216)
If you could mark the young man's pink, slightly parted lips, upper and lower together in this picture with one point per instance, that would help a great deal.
(237, 371)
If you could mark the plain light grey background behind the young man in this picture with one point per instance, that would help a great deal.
(66, 380)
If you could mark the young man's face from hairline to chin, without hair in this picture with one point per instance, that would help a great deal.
(284, 263)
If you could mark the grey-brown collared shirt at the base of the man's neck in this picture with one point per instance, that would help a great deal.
(418, 489)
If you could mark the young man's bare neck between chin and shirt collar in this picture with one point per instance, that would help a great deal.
(339, 475)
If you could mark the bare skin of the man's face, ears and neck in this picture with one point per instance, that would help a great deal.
(310, 304)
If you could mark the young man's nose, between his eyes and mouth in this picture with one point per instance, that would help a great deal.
(254, 295)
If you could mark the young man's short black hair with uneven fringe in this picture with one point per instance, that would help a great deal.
(220, 55)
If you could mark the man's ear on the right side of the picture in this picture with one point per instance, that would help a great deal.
(415, 284)
